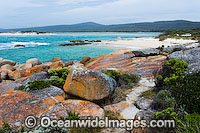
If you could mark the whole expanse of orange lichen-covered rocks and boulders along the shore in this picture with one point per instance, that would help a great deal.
(86, 88)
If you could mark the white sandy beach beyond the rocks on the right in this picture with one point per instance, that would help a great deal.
(138, 43)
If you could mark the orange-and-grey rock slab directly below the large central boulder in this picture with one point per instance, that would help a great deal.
(83, 108)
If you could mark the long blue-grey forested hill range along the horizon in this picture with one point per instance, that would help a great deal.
(159, 26)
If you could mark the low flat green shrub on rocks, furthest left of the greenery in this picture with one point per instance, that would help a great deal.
(35, 85)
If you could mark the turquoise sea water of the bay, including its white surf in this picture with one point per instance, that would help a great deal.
(44, 47)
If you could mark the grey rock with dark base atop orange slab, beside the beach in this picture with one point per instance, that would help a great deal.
(146, 52)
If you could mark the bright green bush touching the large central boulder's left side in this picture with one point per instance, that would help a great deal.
(58, 76)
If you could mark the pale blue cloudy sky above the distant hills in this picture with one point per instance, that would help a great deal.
(33, 13)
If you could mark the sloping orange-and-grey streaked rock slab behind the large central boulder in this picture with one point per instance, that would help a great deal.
(125, 61)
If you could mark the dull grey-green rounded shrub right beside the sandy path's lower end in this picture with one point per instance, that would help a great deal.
(163, 100)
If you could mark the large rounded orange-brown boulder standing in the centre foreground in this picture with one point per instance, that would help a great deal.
(89, 84)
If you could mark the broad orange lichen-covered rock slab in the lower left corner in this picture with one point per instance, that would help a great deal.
(15, 105)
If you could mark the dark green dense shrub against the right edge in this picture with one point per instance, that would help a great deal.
(187, 92)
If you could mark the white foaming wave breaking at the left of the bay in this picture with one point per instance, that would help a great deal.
(12, 45)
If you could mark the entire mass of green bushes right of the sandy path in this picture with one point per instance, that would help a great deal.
(179, 95)
